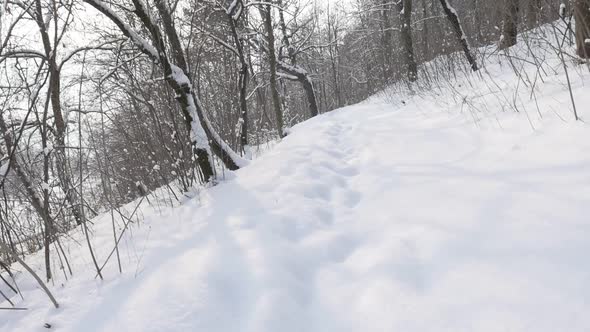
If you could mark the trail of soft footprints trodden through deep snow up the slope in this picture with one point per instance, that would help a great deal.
(312, 203)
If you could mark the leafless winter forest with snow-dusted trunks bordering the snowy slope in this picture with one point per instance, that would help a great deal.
(107, 106)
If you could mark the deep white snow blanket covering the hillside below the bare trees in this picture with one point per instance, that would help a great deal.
(448, 211)
